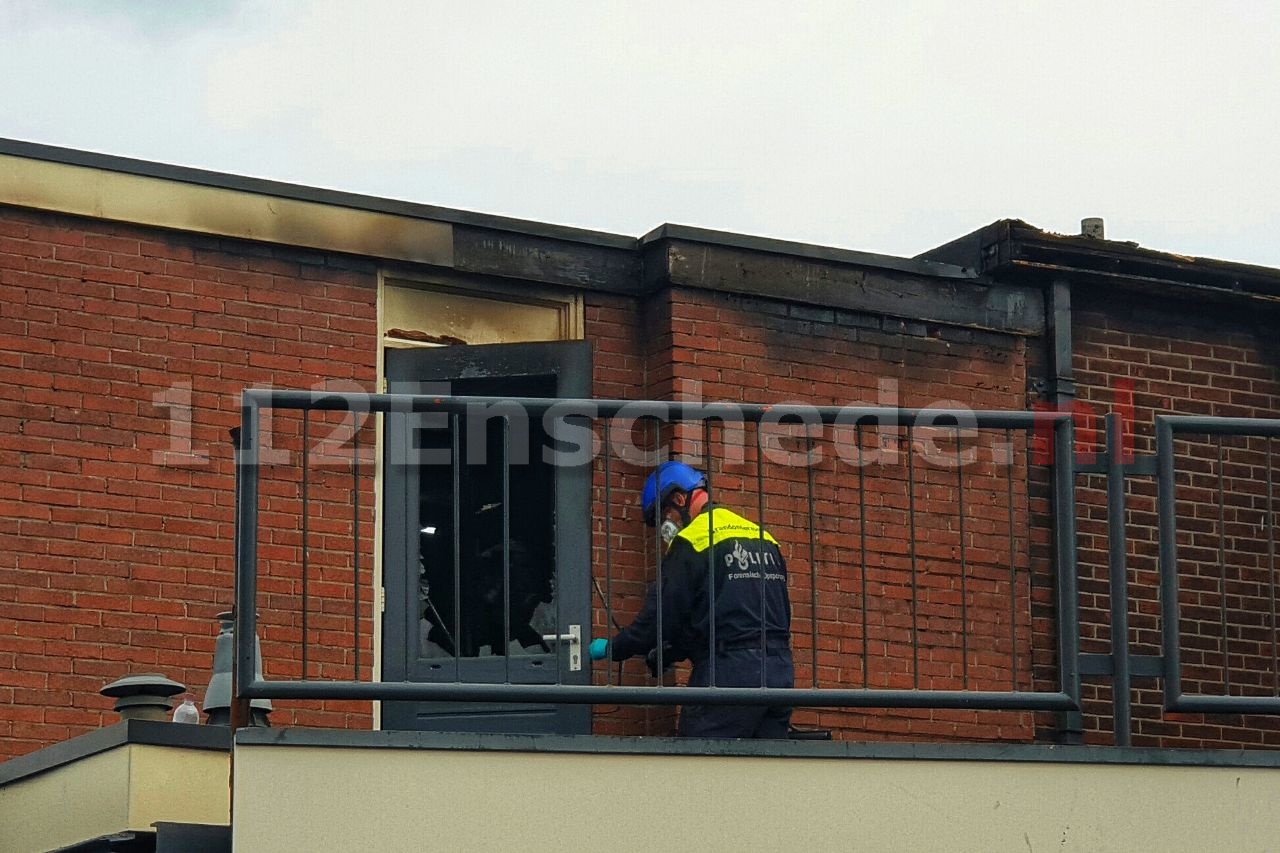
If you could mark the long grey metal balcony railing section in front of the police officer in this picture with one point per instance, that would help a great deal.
(1067, 699)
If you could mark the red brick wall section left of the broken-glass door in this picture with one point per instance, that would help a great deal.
(125, 352)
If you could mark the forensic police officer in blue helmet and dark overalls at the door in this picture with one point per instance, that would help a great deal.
(751, 636)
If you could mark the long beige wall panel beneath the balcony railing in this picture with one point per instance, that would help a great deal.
(345, 800)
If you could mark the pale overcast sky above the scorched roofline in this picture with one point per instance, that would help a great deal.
(888, 127)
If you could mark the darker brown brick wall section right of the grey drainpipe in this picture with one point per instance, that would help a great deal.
(1151, 357)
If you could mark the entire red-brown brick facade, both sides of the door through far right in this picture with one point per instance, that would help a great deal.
(126, 350)
